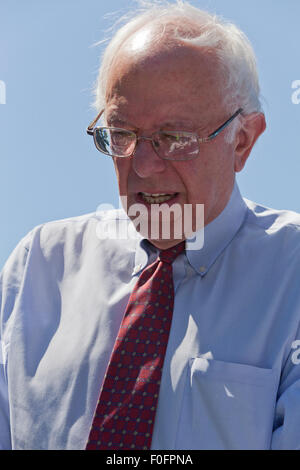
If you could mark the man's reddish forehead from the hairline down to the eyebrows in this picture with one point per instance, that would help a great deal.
(176, 82)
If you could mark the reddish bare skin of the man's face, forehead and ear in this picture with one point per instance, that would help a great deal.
(152, 87)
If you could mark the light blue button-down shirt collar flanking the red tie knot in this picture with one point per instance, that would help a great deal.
(217, 235)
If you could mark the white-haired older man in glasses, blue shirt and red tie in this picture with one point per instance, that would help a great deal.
(153, 342)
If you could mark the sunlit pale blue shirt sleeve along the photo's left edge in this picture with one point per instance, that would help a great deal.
(11, 279)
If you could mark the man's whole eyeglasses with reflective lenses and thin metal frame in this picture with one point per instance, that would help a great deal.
(168, 145)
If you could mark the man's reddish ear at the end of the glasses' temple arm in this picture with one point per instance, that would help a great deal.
(253, 126)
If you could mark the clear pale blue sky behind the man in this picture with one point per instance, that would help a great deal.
(49, 168)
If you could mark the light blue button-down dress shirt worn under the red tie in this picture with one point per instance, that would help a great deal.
(231, 376)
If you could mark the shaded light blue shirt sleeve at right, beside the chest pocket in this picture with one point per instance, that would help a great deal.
(286, 435)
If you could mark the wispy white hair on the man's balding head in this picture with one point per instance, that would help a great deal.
(188, 24)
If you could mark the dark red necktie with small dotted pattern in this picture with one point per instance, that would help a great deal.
(125, 413)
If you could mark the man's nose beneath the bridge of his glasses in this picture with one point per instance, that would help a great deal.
(145, 161)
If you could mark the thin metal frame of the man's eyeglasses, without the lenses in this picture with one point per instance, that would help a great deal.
(91, 131)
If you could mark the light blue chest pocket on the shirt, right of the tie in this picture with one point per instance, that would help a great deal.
(226, 406)
